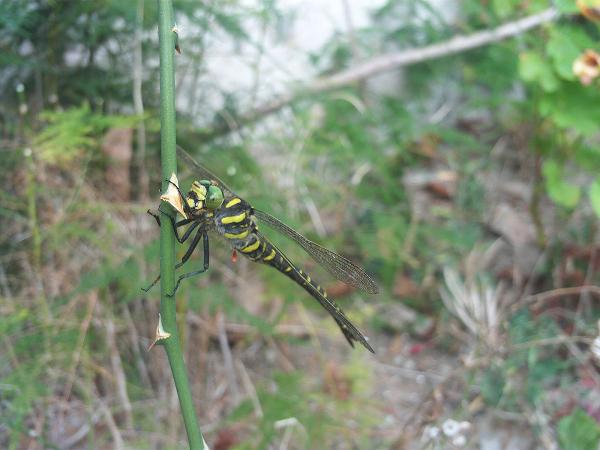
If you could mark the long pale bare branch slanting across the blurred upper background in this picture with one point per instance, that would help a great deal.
(387, 62)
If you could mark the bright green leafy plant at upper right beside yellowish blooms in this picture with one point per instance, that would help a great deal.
(566, 104)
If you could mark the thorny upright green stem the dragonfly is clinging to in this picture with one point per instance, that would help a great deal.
(167, 237)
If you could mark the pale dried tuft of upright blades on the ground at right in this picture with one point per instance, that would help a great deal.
(475, 301)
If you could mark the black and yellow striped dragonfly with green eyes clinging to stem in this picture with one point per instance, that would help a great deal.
(211, 206)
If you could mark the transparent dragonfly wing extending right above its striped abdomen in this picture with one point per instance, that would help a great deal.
(338, 266)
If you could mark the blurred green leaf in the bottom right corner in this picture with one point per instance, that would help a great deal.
(578, 431)
